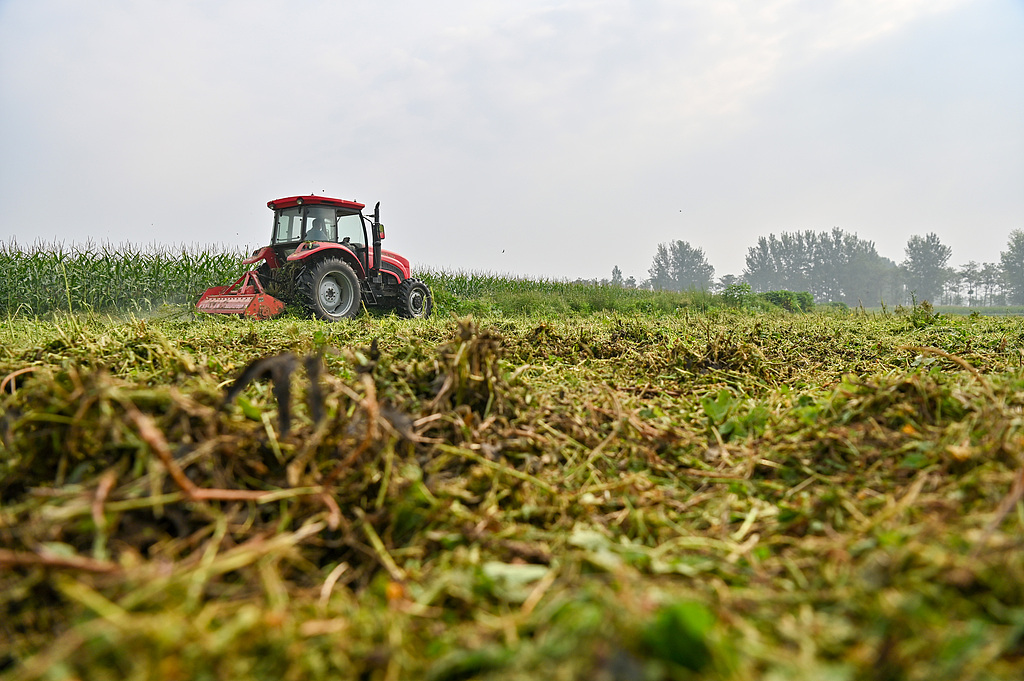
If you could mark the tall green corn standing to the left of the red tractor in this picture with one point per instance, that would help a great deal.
(54, 277)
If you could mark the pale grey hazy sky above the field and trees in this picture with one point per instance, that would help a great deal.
(537, 138)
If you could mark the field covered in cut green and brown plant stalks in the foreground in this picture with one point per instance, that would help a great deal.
(712, 495)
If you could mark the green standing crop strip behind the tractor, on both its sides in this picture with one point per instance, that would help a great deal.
(48, 278)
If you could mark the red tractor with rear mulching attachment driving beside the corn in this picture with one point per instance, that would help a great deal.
(326, 256)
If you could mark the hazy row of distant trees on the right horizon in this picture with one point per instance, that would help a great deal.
(838, 267)
